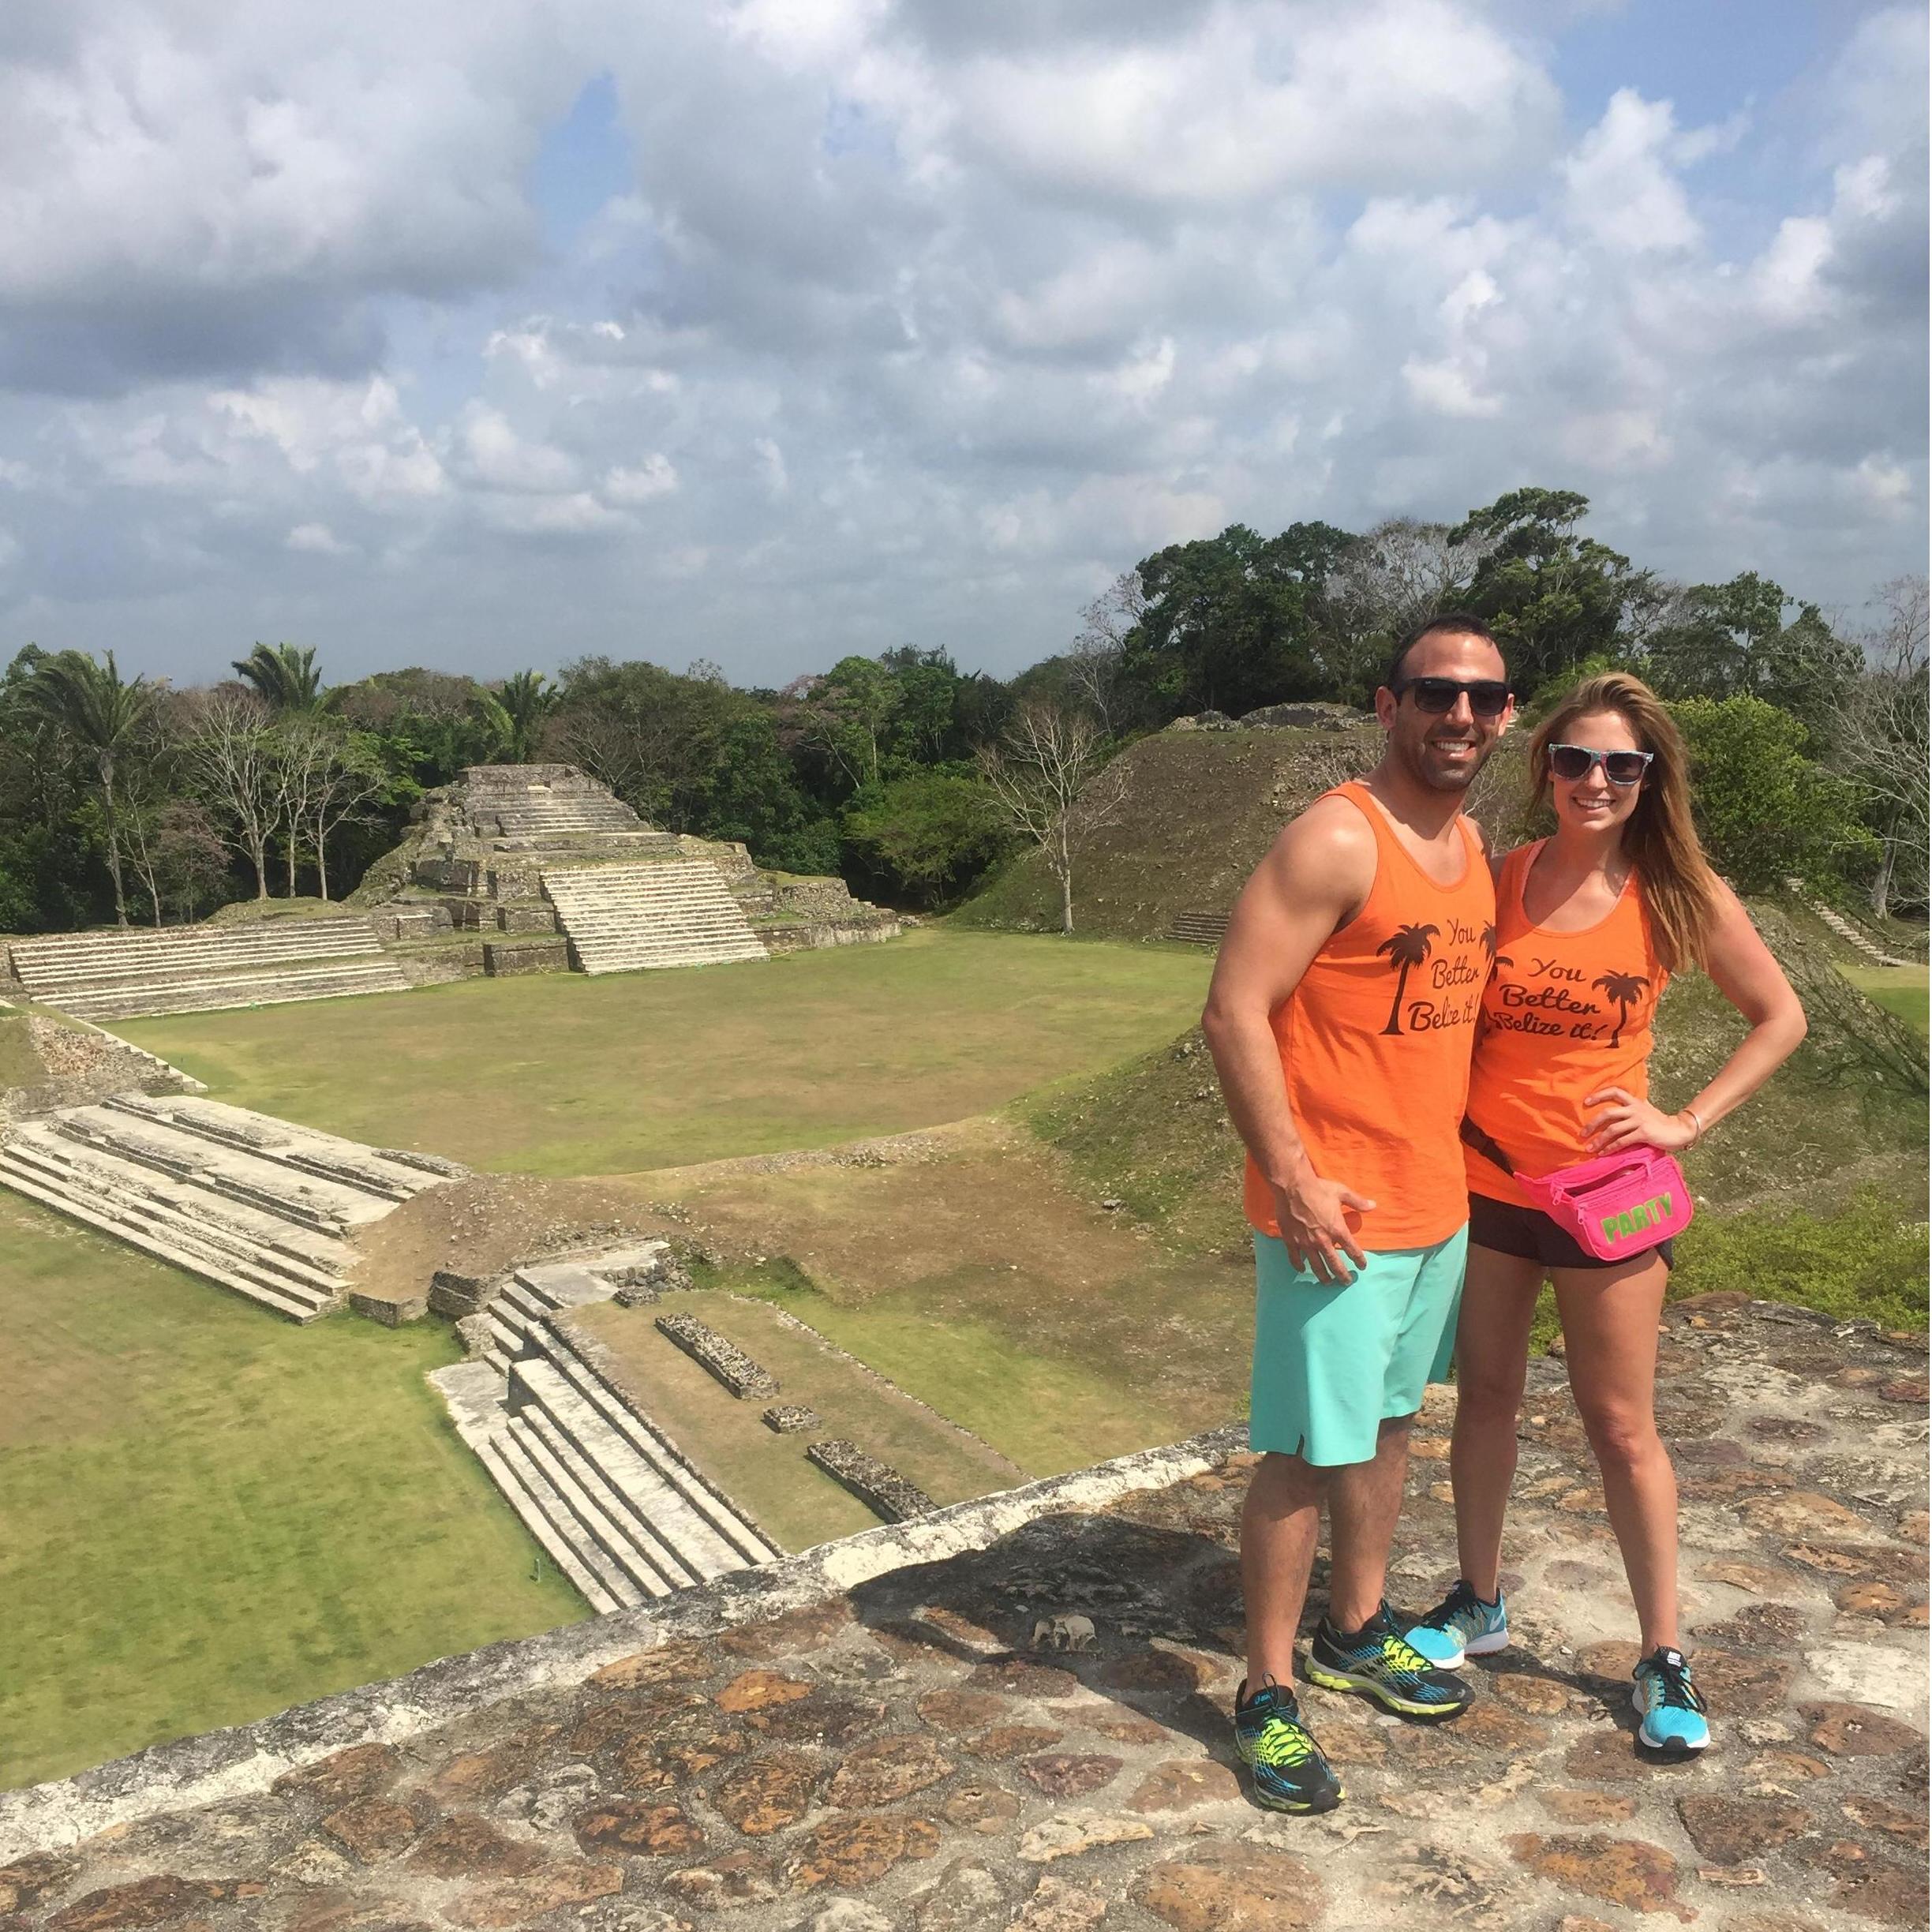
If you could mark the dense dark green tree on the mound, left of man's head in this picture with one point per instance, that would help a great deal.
(1228, 623)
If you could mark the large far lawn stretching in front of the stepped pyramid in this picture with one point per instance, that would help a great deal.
(565, 1075)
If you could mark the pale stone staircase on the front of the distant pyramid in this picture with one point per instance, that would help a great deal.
(668, 913)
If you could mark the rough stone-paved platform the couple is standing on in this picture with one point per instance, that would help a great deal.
(859, 1740)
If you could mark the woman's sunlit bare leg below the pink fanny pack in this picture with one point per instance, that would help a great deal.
(1610, 1336)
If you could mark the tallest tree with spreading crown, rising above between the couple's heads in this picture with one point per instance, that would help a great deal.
(1548, 594)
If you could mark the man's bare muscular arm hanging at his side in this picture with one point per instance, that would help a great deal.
(1313, 882)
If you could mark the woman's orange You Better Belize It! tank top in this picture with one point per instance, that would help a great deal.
(1564, 1017)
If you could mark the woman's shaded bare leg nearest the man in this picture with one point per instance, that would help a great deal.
(1492, 1348)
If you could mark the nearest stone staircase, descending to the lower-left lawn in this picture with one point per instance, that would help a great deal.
(608, 1494)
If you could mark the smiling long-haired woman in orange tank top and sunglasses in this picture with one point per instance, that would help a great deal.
(1591, 924)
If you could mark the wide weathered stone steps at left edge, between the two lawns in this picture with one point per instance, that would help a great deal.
(244, 1201)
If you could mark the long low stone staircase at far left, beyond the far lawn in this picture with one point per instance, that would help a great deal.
(119, 977)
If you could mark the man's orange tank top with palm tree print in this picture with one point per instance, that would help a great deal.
(1377, 1038)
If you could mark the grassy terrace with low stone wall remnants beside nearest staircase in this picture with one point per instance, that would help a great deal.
(768, 1473)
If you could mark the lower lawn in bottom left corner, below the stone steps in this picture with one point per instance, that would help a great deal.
(212, 1516)
